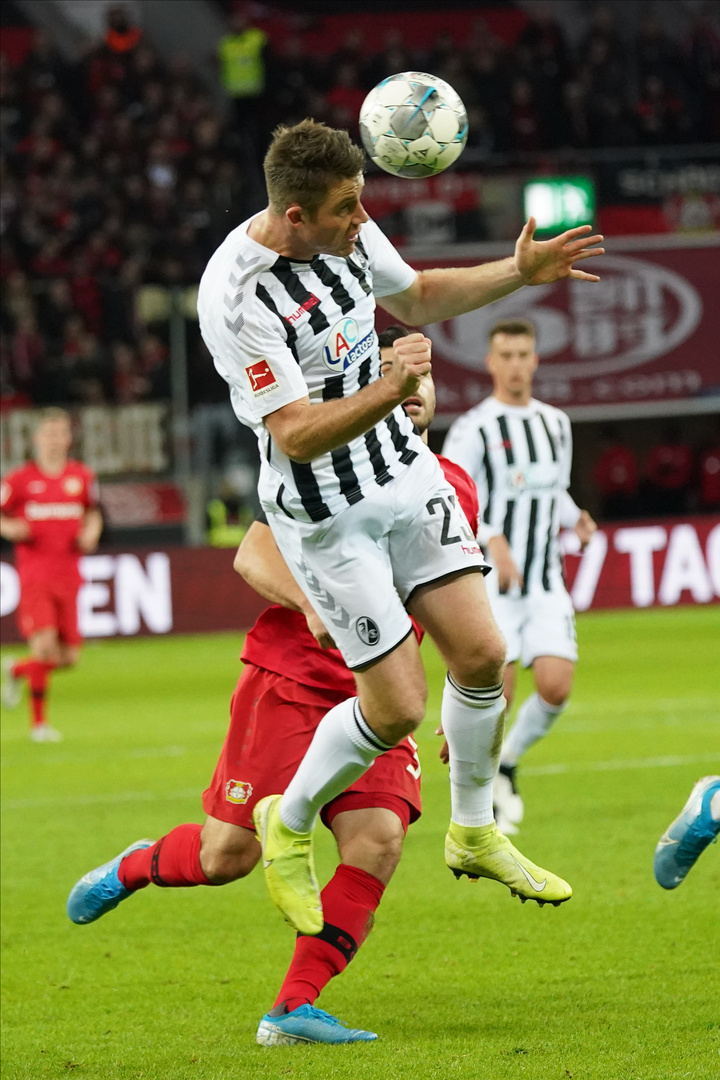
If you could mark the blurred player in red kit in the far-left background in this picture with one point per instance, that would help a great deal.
(49, 510)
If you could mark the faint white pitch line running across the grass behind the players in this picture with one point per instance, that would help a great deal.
(539, 771)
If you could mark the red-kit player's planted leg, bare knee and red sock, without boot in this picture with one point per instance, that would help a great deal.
(371, 844)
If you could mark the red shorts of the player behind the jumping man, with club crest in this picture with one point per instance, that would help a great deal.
(273, 722)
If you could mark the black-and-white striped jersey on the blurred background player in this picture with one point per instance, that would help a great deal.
(521, 460)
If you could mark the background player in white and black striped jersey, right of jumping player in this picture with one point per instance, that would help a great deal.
(519, 451)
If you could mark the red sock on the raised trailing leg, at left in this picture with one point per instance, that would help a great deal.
(172, 863)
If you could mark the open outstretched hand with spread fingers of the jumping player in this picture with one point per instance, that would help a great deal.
(541, 262)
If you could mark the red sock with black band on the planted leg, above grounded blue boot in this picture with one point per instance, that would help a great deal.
(350, 900)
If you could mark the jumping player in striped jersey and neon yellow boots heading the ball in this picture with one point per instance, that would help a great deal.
(358, 504)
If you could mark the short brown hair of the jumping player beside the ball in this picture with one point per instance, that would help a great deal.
(305, 161)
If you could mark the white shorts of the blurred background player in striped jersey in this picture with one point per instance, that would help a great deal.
(539, 625)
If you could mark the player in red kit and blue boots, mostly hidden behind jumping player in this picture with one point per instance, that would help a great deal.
(293, 676)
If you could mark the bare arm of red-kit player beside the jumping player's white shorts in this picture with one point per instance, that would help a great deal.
(260, 562)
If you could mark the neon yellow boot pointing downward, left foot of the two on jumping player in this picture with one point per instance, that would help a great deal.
(290, 870)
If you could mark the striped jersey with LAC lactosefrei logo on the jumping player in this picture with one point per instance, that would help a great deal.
(280, 330)
